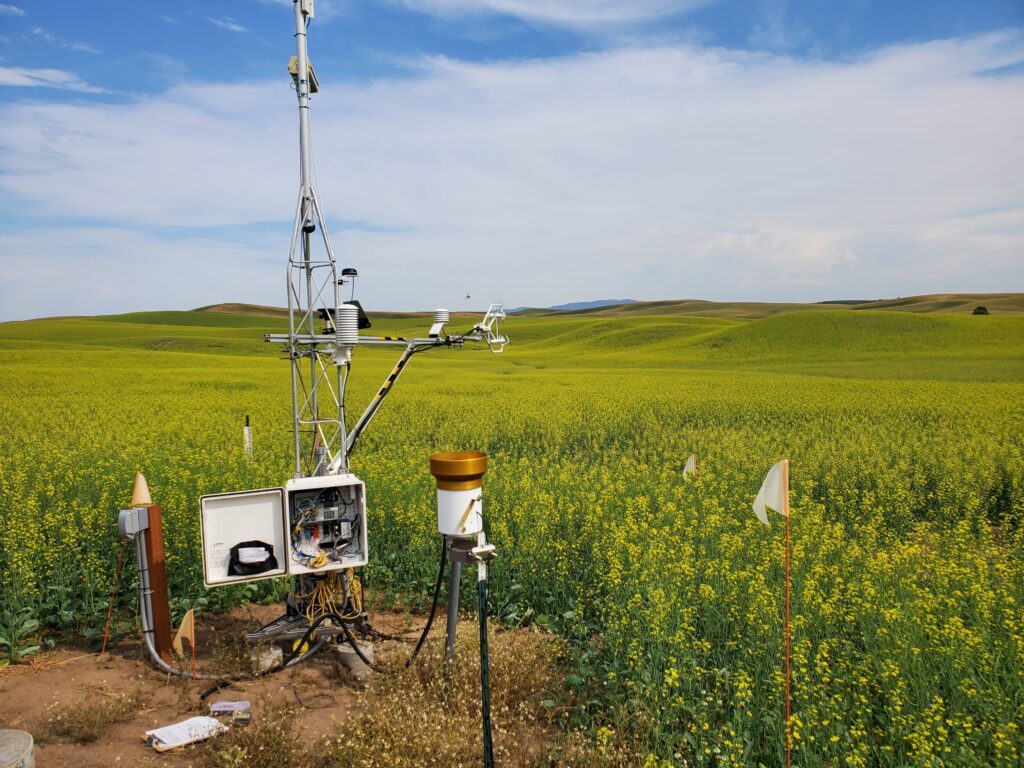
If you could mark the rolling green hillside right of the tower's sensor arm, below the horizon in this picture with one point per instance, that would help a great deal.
(837, 343)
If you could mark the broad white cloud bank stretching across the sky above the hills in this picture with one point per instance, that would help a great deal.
(650, 174)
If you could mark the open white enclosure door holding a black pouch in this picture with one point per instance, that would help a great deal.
(243, 537)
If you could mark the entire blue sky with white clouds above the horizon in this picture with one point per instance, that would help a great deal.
(533, 152)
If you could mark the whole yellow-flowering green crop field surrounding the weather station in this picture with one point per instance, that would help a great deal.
(905, 434)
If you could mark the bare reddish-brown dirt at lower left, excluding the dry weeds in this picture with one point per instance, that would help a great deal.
(33, 695)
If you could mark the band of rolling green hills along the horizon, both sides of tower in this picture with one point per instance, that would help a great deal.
(825, 342)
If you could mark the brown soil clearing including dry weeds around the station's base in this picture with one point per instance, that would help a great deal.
(91, 712)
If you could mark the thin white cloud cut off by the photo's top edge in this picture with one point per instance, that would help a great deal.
(560, 12)
